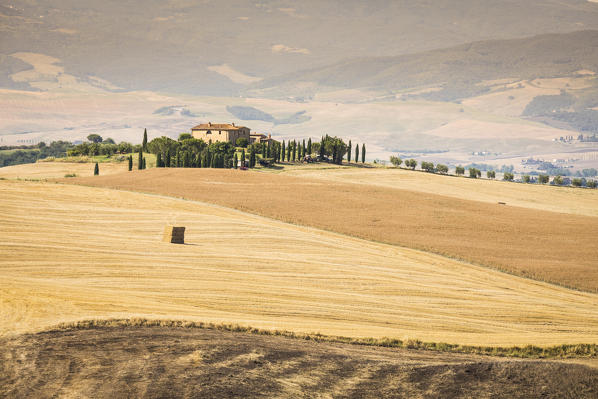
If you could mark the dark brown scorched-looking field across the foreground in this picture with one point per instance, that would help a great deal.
(179, 362)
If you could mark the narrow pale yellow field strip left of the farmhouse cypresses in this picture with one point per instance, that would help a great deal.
(54, 170)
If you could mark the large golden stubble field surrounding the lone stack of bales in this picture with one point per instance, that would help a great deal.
(74, 252)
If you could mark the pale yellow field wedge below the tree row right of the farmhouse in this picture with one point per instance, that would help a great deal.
(534, 196)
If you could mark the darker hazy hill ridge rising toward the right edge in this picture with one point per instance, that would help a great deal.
(457, 71)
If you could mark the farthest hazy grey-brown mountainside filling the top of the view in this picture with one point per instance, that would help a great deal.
(217, 48)
